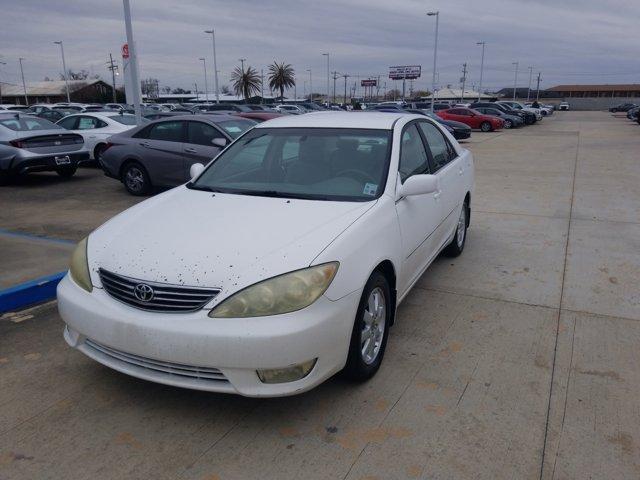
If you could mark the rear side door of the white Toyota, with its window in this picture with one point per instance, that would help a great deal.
(450, 170)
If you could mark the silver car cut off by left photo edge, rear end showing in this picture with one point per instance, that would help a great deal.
(32, 144)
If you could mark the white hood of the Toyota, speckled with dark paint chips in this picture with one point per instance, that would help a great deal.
(195, 238)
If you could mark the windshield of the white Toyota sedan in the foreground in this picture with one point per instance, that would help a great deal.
(312, 163)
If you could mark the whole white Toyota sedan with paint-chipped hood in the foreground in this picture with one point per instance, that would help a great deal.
(281, 263)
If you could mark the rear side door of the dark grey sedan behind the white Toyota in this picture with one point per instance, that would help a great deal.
(162, 152)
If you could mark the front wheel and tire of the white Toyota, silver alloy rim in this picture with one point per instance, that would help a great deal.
(363, 362)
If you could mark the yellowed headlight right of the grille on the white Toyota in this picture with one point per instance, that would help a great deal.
(283, 294)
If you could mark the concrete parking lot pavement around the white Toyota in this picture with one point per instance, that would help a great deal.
(516, 360)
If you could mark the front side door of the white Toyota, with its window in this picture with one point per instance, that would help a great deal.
(418, 215)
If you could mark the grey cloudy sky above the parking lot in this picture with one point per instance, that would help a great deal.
(569, 41)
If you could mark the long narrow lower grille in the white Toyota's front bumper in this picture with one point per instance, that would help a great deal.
(177, 369)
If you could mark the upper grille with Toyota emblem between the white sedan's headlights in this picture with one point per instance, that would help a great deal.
(164, 297)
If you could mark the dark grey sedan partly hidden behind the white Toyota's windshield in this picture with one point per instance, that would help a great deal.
(160, 153)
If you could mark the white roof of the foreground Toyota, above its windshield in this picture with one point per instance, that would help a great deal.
(332, 119)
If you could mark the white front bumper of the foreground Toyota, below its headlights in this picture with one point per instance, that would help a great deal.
(132, 341)
